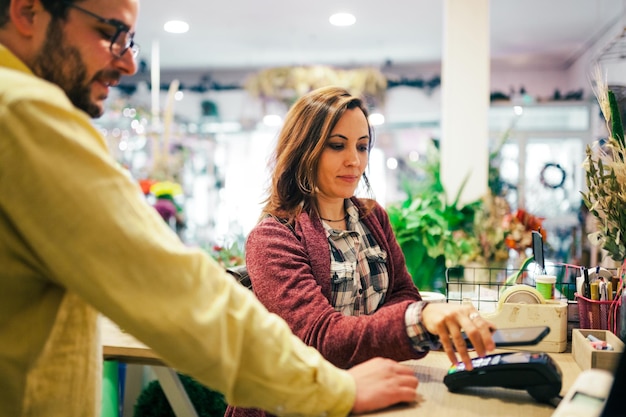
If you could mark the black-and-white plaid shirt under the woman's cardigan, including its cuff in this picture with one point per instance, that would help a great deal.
(359, 277)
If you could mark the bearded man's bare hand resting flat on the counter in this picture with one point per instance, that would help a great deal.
(381, 383)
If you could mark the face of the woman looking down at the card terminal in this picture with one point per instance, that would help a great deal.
(344, 158)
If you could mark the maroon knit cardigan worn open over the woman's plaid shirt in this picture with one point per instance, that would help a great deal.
(290, 274)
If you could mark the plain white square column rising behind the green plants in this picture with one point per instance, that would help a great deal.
(465, 87)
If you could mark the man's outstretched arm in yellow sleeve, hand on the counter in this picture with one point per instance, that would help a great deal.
(88, 230)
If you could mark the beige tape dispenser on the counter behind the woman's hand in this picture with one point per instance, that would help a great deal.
(522, 305)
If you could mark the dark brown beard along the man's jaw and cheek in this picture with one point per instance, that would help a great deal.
(62, 65)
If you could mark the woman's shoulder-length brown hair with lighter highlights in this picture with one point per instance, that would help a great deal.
(300, 144)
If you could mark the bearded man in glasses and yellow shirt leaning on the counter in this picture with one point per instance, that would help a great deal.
(77, 239)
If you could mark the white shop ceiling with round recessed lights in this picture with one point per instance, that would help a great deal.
(240, 34)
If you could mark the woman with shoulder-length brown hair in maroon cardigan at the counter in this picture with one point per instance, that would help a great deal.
(328, 262)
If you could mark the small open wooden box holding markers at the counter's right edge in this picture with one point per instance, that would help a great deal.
(587, 357)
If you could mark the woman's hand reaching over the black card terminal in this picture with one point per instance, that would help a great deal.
(448, 320)
